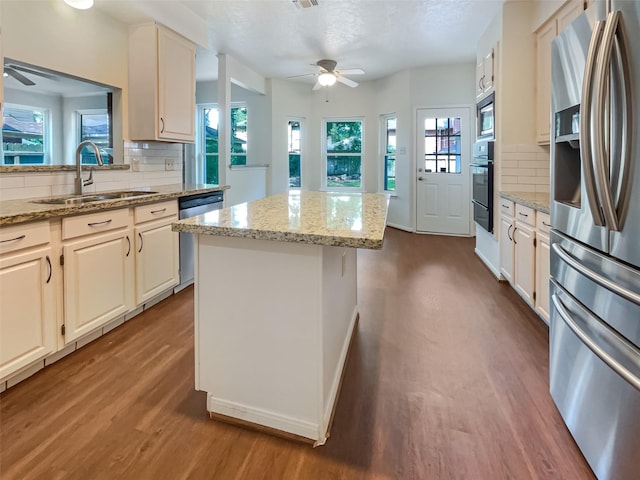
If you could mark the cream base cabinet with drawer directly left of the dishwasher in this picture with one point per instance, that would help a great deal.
(156, 245)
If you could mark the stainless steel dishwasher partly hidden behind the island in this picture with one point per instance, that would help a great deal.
(190, 206)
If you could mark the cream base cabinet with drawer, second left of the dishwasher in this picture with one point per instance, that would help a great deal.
(98, 270)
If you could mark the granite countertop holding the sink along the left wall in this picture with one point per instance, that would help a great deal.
(24, 210)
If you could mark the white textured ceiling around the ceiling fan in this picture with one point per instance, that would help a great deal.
(278, 40)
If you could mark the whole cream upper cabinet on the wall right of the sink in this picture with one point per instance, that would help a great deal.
(162, 86)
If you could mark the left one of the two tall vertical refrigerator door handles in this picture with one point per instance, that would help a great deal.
(586, 153)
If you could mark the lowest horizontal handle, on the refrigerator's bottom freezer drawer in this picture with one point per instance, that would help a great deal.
(611, 345)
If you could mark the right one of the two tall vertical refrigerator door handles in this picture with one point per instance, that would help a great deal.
(602, 144)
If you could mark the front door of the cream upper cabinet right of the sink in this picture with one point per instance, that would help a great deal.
(176, 87)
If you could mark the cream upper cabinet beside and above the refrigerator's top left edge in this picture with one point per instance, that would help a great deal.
(544, 36)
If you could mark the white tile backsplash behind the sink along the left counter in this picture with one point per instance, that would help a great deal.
(151, 163)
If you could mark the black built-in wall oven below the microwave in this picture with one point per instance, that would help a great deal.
(482, 184)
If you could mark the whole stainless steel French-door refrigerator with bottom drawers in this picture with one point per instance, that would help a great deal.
(595, 251)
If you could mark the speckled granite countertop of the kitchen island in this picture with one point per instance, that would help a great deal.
(355, 220)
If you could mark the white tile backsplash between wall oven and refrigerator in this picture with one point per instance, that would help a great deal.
(524, 168)
